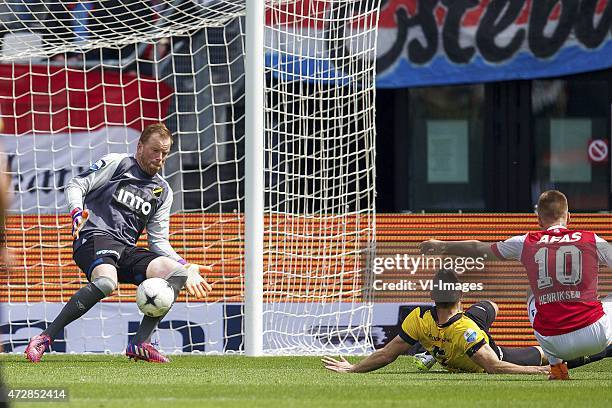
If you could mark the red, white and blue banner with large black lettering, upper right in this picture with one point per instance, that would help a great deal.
(435, 42)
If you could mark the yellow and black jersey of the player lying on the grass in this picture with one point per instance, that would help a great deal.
(452, 343)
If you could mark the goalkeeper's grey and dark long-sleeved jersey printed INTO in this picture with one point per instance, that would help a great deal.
(122, 201)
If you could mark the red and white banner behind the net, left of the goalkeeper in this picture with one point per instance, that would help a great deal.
(57, 121)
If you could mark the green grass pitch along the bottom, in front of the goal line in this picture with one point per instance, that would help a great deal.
(196, 381)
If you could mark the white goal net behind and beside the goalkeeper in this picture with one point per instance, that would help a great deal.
(79, 80)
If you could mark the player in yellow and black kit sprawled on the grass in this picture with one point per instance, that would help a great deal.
(458, 340)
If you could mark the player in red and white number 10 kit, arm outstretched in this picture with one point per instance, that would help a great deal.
(562, 266)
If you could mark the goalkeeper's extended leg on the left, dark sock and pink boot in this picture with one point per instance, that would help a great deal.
(103, 283)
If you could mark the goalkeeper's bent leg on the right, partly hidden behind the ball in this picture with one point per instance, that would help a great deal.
(139, 347)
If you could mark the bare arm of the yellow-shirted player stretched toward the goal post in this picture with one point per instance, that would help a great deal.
(374, 361)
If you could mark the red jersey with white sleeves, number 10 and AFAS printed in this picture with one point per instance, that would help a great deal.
(562, 267)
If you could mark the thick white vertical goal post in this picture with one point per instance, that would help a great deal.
(254, 177)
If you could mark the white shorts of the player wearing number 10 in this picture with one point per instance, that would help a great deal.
(587, 341)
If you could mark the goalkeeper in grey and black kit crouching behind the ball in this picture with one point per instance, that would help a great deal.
(111, 204)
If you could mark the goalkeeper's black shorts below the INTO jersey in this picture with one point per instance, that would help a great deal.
(131, 262)
